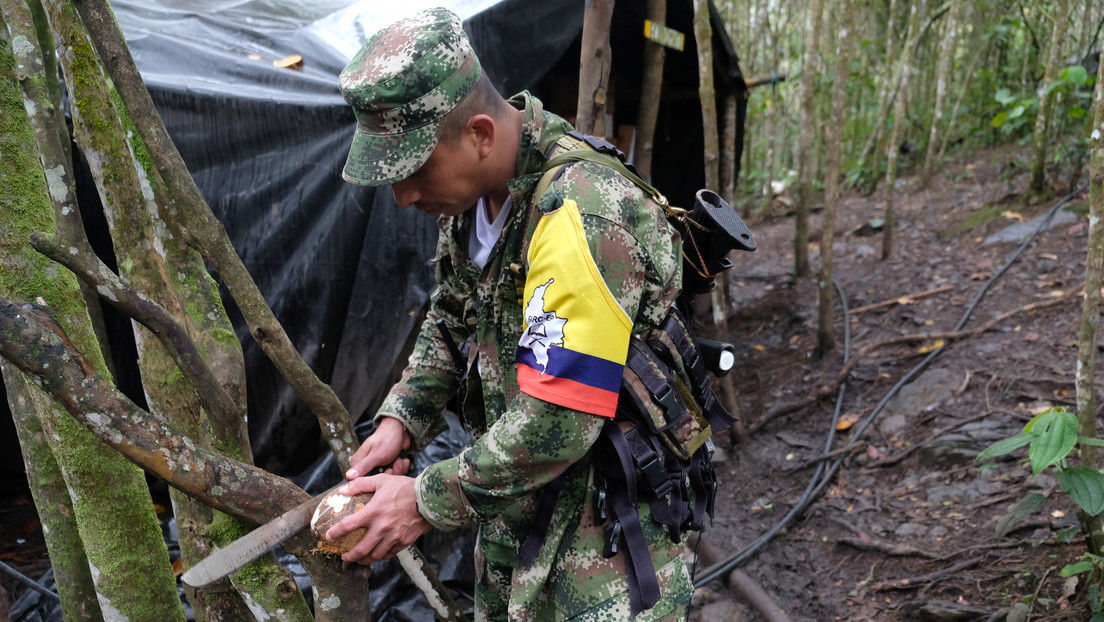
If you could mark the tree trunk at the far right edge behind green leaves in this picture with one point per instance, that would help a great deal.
(1091, 308)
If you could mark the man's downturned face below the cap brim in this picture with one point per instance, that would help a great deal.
(444, 185)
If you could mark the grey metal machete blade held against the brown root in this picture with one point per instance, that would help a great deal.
(253, 545)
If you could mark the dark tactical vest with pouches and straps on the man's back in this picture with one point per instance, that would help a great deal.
(657, 449)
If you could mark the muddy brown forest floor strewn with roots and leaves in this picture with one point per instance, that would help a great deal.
(907, 528)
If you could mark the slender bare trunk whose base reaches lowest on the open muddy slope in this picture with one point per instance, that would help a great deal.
(826, 299)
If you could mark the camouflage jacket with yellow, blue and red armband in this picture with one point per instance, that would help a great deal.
(524, 442)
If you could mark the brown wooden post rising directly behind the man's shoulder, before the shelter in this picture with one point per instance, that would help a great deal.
(595, 68)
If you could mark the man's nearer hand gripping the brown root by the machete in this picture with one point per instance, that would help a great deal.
(391, 518)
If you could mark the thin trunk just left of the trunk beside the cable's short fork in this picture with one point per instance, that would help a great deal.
(806, 142)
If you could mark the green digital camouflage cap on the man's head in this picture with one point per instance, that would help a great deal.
(401, 85)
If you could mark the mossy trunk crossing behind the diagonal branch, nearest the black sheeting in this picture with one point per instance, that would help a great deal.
(129, 185)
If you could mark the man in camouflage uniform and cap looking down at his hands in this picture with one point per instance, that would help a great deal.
(598, 263)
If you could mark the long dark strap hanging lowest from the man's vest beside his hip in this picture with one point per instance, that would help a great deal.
(643, 584)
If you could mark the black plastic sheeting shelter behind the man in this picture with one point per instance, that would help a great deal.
(345, 270)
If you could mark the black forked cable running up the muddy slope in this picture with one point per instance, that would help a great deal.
(814, 489)
